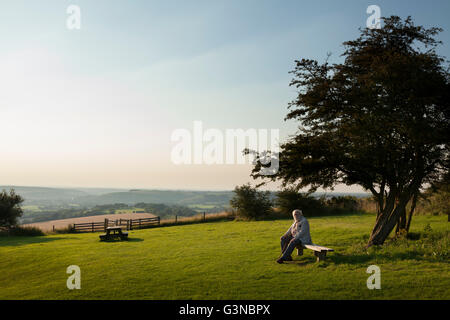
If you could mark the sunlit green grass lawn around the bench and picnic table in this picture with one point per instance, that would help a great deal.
(229, 260)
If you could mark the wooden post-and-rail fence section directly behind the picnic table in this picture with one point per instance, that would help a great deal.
(130, 224)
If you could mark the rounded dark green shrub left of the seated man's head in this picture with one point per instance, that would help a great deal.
(249, 203)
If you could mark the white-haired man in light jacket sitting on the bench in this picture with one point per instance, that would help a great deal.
(297, 234)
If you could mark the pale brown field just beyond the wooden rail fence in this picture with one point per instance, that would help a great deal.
(63, 223)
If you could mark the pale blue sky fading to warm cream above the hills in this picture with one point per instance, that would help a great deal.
(96, 107)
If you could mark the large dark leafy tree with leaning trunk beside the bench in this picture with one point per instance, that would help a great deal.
(380, 119)
